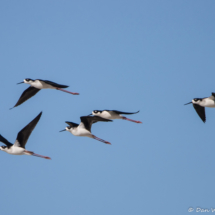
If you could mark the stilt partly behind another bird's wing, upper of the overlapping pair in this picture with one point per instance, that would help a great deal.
(113, 114)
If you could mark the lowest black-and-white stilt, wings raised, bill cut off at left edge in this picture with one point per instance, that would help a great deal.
(18, 148)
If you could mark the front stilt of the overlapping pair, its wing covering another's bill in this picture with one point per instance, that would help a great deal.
(84, 128)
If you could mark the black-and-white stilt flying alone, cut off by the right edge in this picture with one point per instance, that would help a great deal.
(200, 103)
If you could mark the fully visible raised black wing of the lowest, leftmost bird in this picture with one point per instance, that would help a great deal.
(24, 134)
